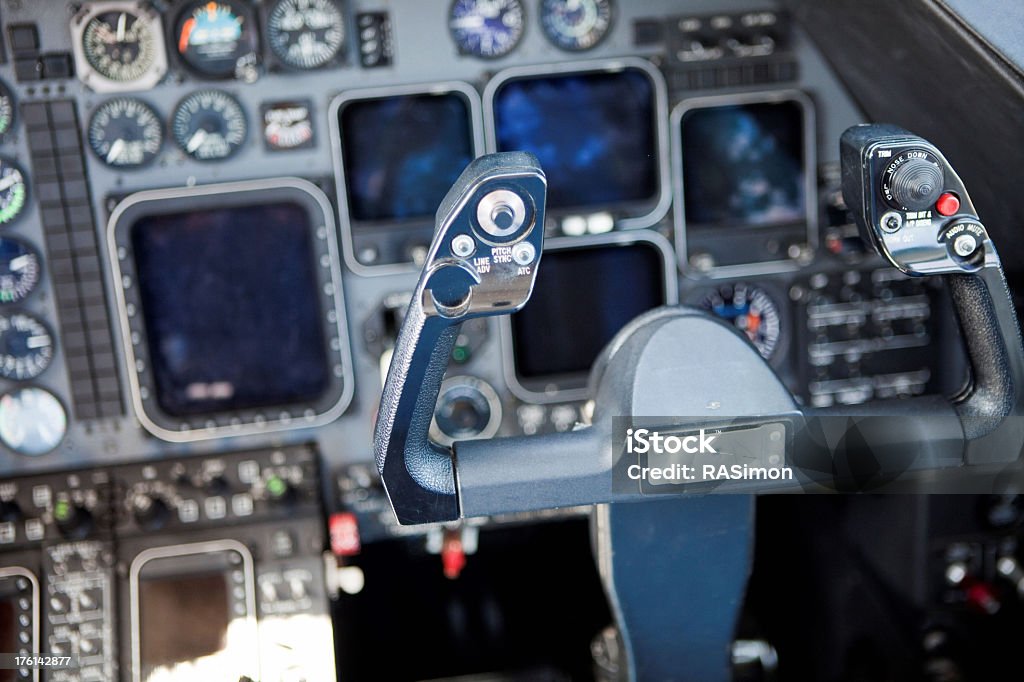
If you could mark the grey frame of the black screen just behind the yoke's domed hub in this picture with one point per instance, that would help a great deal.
(568, 389)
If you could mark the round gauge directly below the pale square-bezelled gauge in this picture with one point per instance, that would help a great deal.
(125, 134)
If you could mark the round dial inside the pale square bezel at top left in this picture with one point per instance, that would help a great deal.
(121, 46)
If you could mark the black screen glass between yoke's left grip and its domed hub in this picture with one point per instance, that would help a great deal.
(583, 297)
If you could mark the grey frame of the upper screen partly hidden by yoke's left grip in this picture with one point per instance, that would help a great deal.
(466, 91)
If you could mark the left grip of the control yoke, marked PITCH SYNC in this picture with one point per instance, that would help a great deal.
(483, 263)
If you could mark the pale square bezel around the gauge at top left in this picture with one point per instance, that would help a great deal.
(96, 80)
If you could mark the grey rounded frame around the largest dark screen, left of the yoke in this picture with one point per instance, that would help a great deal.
(137, 356)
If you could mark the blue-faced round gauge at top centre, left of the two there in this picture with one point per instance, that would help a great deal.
(488, 29)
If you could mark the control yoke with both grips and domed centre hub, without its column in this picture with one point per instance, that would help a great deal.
(910, 204)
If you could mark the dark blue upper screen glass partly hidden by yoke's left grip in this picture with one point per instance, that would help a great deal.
(403, 154)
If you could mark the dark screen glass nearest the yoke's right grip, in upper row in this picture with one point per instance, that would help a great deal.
(744, 165)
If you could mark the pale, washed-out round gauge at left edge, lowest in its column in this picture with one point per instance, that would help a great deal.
(32, 421)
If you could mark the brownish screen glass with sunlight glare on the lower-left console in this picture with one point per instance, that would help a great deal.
(182, 620)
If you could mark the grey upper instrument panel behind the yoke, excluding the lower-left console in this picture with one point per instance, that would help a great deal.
(151, 187)
